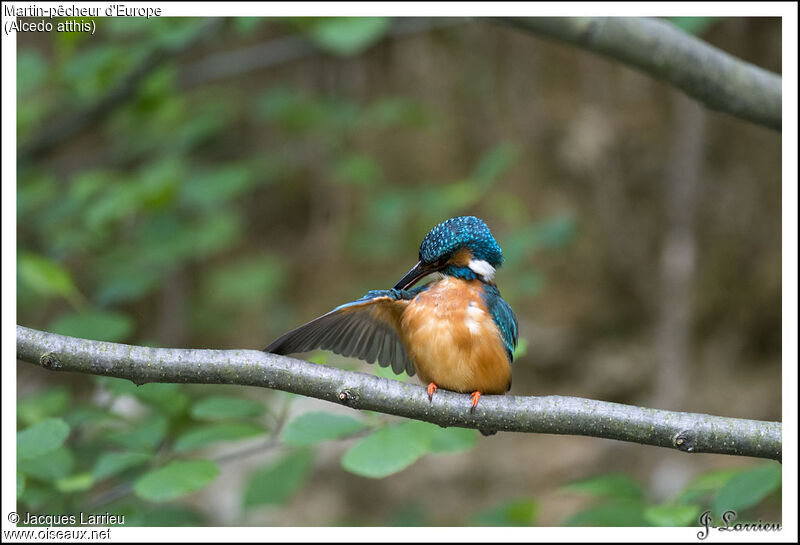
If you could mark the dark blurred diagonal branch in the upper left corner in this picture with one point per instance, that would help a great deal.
(76, 123)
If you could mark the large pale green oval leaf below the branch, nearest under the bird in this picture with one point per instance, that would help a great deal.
(388, 450)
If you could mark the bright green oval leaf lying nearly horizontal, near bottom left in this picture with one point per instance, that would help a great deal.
(175, 480)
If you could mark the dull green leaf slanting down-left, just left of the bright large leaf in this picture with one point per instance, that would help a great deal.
(279, 481)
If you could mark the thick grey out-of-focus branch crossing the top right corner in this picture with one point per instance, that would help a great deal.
(719, 80)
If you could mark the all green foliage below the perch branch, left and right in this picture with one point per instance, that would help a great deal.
(108, 459)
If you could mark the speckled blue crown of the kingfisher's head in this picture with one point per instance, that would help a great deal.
(461, 232)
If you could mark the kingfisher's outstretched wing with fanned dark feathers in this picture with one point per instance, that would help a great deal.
(366, 329)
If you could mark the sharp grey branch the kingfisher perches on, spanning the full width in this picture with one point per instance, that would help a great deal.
(686, 432)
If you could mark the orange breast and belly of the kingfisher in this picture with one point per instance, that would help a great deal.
(452, 340)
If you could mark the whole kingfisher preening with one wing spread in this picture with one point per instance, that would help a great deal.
(455, 332)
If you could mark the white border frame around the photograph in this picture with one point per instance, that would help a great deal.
(786, 10)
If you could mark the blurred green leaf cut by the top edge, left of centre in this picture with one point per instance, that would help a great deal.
(348, 36)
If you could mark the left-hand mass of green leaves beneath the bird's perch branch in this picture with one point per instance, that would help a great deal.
(112, 459)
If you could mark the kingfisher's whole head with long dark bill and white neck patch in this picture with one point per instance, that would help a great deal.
(462, 247)
